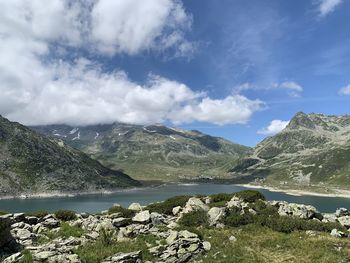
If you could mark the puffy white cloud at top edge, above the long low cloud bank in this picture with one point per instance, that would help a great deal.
(131, 26)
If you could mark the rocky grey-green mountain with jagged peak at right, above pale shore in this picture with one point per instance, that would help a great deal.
(313, 151)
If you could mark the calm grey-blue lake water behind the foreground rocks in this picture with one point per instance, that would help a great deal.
(97, 203)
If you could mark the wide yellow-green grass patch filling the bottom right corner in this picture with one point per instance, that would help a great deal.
(261, 244)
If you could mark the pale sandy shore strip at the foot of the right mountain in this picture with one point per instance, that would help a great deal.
(294, 192)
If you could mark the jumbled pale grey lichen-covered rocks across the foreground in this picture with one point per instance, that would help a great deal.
(25, 238)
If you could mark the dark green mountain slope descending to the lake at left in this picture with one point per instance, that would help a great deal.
(32, 163)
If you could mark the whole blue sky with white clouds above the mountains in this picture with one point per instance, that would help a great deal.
(232, 68)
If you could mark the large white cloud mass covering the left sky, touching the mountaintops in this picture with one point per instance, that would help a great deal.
(40, 86)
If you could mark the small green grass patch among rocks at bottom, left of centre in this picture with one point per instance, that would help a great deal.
(96, 252)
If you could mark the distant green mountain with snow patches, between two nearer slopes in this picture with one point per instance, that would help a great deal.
(151, 152)
